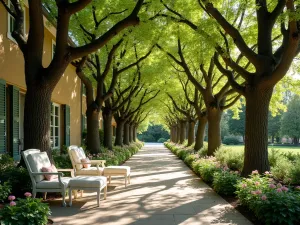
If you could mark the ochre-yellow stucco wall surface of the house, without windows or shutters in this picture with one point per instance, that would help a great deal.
(67, 91)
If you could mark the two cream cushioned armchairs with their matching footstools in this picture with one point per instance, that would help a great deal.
(84, 176)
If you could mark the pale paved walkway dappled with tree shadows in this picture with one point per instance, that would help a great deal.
(163, 191)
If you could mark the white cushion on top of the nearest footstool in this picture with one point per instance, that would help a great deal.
(88, 182)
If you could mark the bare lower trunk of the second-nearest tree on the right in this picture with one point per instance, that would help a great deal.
(214, 130)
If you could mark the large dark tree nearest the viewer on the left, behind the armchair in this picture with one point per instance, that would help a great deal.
(40, 80)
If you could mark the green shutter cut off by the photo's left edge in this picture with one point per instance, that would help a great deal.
(3, 145)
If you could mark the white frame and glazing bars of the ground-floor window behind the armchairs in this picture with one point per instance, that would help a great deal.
(55, 145)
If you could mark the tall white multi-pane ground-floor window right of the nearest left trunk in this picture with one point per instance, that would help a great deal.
(55, 126)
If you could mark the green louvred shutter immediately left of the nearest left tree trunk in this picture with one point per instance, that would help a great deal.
(14, 121)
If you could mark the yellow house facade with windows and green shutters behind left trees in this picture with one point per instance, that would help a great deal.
(68, 101)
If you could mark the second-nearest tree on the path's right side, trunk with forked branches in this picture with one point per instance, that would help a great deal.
(216, 99)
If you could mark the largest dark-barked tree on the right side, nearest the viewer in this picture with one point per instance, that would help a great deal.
(271, 65)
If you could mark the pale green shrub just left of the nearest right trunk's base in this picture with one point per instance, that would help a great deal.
(231, 158)
